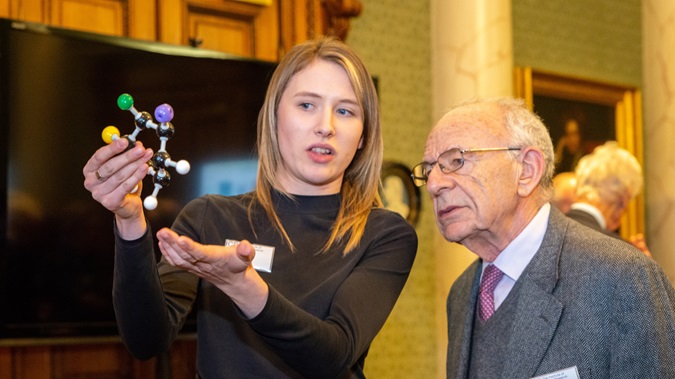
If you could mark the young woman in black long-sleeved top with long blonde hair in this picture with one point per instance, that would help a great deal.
(292, 280)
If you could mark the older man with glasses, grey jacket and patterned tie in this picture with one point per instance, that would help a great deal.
(564, 299)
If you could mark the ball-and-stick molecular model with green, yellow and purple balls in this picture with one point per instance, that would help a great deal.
(161, 160)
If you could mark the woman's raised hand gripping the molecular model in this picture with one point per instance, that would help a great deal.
(111, 174)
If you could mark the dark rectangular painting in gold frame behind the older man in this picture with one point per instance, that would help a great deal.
(582, 114)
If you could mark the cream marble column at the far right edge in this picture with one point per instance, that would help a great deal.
(658, 20)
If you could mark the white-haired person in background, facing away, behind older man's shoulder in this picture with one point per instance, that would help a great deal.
(607, 180)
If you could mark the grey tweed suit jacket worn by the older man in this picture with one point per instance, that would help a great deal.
(586, 300)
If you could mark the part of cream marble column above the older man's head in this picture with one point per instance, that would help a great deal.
(472, 50)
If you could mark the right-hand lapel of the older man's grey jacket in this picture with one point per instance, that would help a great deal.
(538, 311)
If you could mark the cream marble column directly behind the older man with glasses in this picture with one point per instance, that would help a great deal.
(472, 56)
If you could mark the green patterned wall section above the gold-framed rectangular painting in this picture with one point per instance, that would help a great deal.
(599, 39)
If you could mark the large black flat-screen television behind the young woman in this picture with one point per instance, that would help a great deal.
(58, 90)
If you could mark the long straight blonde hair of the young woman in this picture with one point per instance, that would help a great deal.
(361, 182)
